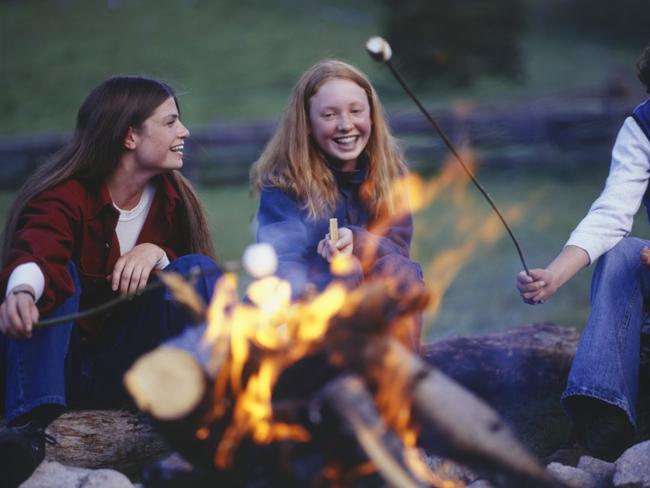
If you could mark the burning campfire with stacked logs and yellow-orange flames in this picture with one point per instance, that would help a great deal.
(319, 392)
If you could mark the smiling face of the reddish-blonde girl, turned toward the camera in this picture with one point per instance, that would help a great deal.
(339, 116)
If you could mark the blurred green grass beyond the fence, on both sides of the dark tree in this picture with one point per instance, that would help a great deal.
(232, 59)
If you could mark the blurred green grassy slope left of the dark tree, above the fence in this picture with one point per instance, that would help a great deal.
(227, 58)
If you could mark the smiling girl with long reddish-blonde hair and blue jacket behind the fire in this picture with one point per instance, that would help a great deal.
(333, 156)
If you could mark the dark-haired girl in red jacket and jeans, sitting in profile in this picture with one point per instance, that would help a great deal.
(97, 220)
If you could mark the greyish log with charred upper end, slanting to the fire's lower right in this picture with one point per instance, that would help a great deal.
(466, 429)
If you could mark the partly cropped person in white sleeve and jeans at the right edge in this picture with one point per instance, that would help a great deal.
(601, 392)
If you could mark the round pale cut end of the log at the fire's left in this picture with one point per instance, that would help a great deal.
(167, 383)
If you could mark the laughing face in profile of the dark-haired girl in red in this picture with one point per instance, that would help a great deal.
(158, 145)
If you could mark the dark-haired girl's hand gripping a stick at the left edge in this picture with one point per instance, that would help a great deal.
(18, 313)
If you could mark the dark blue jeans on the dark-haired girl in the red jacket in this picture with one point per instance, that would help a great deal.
(58, 366)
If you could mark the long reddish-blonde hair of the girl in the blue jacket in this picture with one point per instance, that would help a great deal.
(293, 162)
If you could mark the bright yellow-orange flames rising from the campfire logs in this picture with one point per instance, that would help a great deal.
(280, 332)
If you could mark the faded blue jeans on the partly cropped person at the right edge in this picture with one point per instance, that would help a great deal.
(606, 365)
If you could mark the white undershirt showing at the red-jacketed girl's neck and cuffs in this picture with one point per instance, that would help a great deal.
(129, 225)
